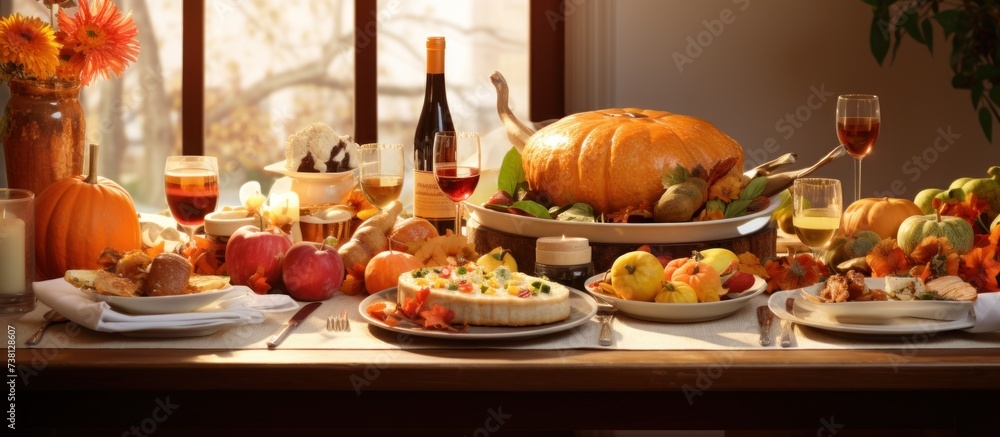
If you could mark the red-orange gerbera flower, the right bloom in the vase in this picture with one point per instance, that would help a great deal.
(103, 35)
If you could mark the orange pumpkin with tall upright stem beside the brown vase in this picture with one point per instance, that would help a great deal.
(77, 217)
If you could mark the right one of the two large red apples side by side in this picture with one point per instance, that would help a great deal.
(312, 271)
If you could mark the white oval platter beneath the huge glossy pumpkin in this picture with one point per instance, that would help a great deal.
(630, 233)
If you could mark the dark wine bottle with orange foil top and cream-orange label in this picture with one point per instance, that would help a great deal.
(428, 200)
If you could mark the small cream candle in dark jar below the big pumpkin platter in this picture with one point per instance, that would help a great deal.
(566, 260)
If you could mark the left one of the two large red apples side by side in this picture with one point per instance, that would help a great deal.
(250, 249)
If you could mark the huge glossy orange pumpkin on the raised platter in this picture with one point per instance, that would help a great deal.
(615, 158)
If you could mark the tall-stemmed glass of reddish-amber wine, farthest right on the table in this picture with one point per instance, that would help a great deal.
(858, 120)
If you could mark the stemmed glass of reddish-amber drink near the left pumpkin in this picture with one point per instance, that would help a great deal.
(192, 186)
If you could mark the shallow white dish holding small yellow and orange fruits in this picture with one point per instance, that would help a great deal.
(679, 312)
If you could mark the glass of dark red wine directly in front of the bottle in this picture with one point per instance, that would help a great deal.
(456, 167)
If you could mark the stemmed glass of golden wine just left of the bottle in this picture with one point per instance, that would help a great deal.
(381, 173)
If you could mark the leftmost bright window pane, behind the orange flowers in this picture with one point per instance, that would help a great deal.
(135, 118)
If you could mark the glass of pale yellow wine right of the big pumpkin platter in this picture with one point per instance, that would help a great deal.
(817, 206)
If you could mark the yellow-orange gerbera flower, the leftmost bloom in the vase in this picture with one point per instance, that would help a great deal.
(29, 43)
